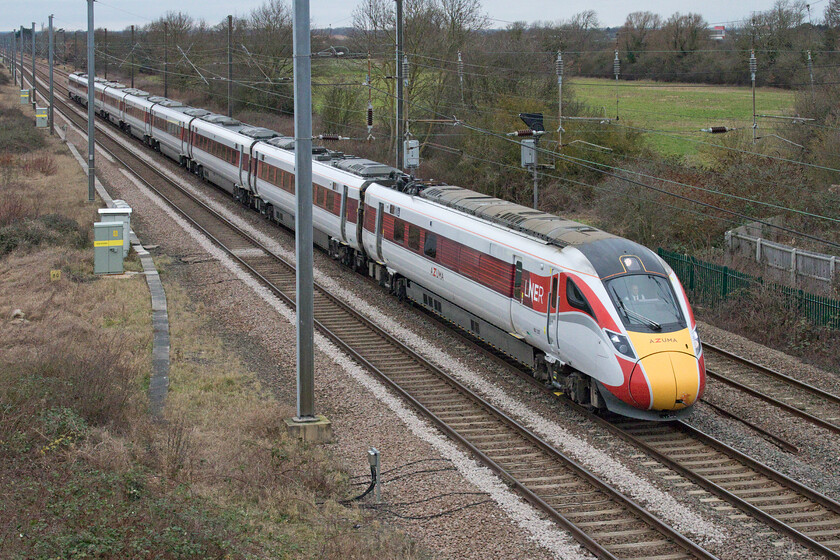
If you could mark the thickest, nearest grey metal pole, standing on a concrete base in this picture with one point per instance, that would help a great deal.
(303, 216)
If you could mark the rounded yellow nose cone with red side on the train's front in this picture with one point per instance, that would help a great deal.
(671, 379)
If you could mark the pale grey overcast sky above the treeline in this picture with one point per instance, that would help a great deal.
(118, 14)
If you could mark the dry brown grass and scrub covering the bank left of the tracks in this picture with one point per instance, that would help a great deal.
(219, 478)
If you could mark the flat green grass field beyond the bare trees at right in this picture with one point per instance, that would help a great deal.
(681, 109)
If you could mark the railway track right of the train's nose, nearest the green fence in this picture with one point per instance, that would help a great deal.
(800, 399)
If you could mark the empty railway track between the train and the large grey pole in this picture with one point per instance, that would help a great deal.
(608, 524)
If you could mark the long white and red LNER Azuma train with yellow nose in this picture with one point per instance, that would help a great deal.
(600, 317)
